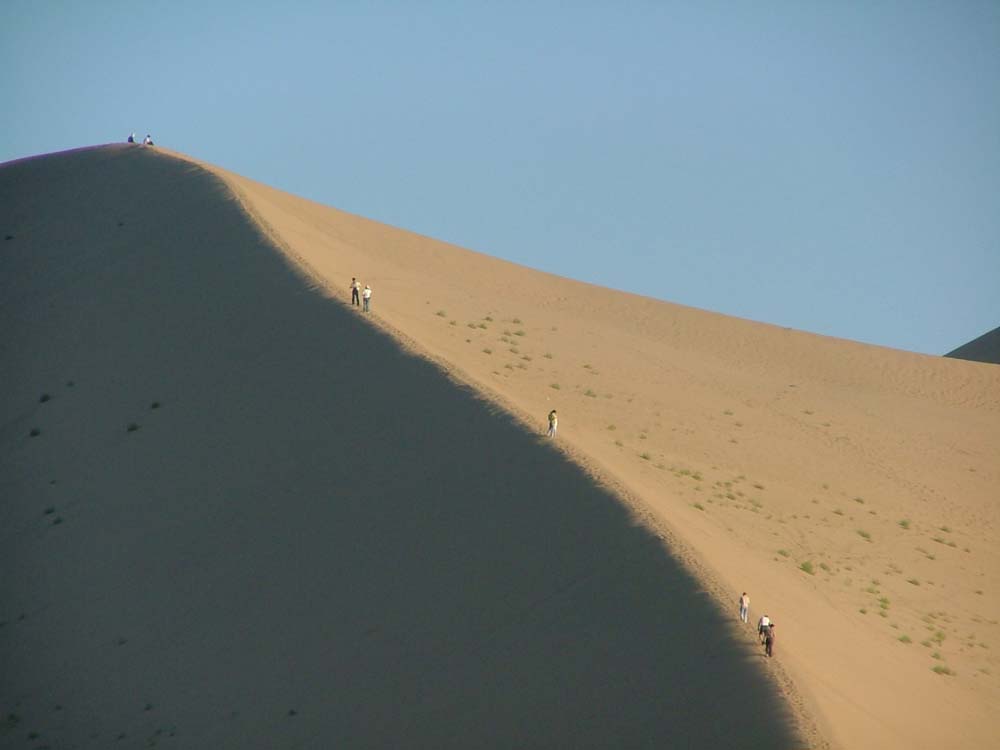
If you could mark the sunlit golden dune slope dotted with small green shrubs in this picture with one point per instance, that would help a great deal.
(849, 488)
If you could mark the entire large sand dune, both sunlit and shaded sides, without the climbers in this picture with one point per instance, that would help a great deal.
(338, 527)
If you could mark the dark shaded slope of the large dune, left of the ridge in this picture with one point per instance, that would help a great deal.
(308, 538)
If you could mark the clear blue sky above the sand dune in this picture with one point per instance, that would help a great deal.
(828, 166)
